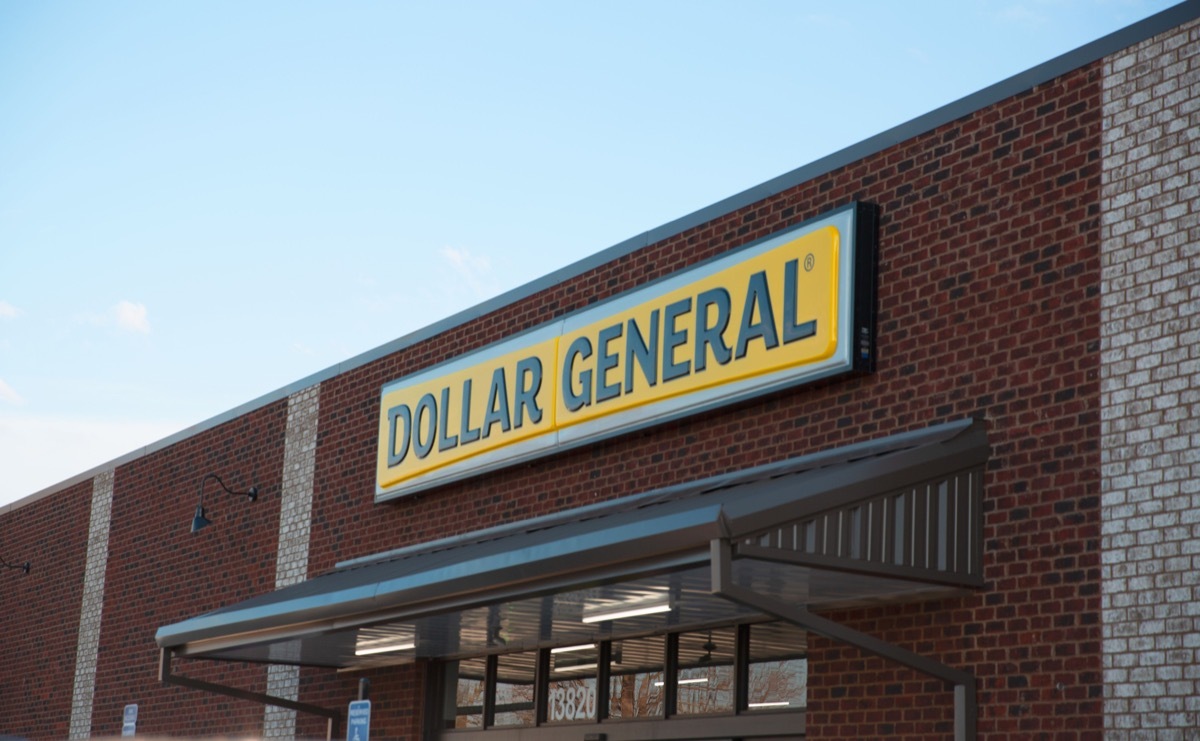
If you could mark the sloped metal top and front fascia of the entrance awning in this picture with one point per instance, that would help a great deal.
(626, 544)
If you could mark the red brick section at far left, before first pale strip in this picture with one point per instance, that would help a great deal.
(38, 636)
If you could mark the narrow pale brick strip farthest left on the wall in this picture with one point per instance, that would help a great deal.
(93, 607)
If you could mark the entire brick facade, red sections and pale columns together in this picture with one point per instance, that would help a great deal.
(992, 260)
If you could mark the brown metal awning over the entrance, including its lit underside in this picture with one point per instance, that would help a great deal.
(892, 520)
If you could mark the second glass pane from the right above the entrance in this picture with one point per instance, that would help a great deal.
(706, 672)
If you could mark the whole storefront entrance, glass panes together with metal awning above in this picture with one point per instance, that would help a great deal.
(671, 616)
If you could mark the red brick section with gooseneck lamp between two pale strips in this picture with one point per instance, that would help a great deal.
(160, 574)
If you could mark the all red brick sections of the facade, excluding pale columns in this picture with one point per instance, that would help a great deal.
(988, 306)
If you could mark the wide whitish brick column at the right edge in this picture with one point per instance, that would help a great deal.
(1151, 389)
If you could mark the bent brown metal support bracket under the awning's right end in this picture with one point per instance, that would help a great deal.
(965, 701)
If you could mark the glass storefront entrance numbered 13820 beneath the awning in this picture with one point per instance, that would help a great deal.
(752, 678)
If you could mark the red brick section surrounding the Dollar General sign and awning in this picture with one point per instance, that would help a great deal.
(988, 306)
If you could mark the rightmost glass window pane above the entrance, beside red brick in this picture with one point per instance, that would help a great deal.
(779, 668)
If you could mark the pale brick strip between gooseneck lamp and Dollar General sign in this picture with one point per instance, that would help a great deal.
(292, 559)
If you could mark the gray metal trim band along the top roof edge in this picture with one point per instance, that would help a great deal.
(1005, 89)
